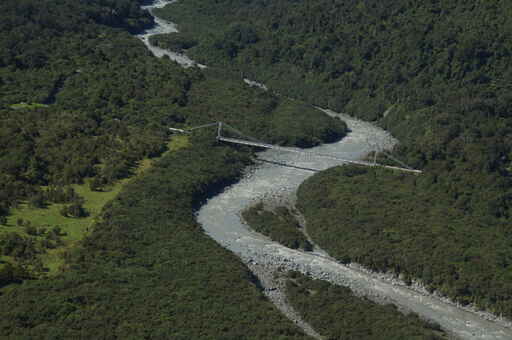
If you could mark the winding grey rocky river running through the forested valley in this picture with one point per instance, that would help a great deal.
(220, 219)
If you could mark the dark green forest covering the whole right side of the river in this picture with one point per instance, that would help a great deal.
(437, 75)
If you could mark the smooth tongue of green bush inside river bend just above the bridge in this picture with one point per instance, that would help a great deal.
(259, 114)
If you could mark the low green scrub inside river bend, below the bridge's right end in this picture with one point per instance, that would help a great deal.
(368, 216)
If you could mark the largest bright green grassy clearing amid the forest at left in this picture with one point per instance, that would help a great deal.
(74, 229)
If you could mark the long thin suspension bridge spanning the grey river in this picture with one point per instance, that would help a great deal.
(249, 141)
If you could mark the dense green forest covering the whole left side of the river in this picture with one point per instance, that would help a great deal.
(83, 101)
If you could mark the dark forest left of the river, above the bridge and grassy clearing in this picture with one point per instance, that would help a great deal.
(83, 101)
